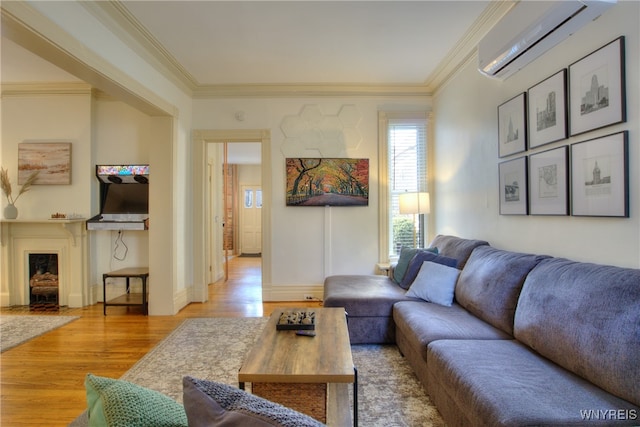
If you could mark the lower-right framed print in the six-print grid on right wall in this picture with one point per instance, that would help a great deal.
(600, 176)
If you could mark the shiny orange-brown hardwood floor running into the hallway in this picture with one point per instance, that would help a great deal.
(42, 380)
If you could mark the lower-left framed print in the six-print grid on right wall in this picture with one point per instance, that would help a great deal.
(513, 187)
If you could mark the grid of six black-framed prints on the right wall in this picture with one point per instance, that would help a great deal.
(584, 176)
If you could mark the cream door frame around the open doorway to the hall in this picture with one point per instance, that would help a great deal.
(201, 247)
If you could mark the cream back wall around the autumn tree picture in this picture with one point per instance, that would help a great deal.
(309, 243)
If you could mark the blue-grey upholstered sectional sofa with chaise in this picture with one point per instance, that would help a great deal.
(528, 340)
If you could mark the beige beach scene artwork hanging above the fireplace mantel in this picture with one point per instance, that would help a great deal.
(51, 159)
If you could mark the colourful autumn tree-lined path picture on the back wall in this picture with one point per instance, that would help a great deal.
(327, 182)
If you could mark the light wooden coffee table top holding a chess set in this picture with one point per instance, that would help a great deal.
(283, 356)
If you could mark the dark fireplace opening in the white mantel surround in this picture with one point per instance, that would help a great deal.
(43, 282)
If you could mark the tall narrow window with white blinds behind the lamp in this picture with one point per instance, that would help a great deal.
(404, 170)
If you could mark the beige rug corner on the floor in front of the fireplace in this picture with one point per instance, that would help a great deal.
(15, 330)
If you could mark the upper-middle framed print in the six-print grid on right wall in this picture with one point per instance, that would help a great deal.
(547, 110)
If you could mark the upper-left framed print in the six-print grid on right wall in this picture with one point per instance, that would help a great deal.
(512, 126)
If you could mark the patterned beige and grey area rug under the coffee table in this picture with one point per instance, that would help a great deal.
(213, 348)
